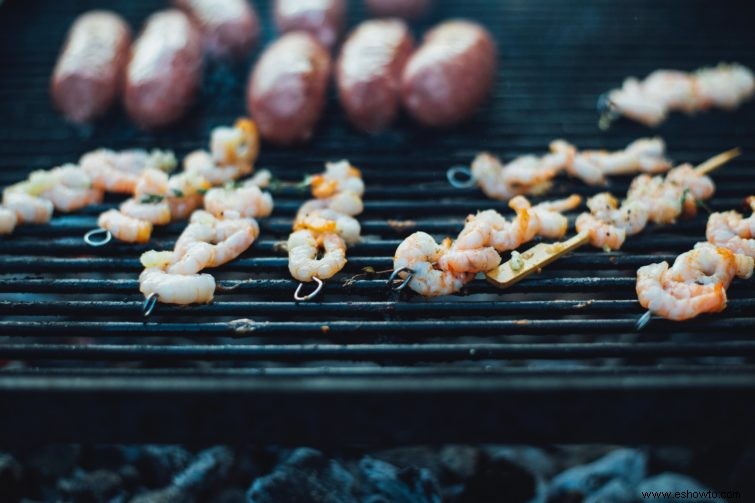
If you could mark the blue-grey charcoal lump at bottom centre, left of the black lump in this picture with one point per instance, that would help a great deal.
(384, 483)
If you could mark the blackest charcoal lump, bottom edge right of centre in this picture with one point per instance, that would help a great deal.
(499, 477)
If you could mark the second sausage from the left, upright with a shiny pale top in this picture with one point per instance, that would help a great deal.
(165, 69)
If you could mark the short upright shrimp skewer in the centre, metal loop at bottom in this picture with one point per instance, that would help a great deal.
(325, 225)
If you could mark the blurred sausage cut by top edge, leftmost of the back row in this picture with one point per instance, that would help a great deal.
(231, 28)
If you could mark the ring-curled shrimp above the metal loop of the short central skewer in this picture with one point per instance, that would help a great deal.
(303, 250)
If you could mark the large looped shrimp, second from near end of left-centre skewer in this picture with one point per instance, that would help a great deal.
(210, 242)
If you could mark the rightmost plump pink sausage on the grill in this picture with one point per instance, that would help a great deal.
(450, 74)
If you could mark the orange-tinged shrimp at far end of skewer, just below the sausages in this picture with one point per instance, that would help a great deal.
(235, 146)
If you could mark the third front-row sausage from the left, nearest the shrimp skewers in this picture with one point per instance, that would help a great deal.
(286, 91)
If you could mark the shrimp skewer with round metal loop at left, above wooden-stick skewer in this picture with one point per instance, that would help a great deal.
(530, 174)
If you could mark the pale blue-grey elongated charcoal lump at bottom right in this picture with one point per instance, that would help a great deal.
(626, 465)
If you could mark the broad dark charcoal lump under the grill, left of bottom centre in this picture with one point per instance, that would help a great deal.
(305, 477)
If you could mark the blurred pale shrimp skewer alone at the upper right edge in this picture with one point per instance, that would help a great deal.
(724, 86)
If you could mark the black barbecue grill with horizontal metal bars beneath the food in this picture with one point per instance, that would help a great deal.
(553, 359)
